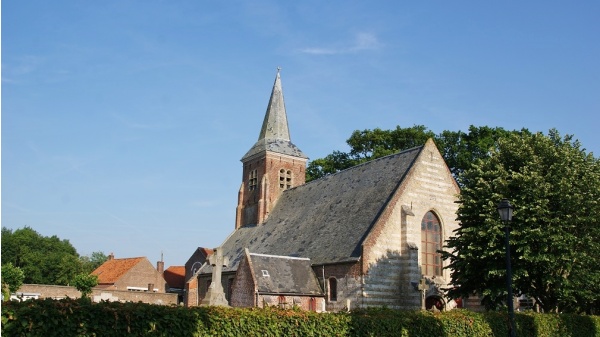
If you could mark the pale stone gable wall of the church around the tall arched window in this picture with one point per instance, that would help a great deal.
(391, 257)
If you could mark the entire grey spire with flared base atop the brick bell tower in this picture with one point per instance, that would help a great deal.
(275, 134)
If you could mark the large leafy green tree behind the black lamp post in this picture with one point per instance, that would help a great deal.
(554, 186)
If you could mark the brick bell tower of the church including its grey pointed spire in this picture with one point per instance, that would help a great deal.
(271, 166)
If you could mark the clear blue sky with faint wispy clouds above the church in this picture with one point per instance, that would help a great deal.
(123, 122)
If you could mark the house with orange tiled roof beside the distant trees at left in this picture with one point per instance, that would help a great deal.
(131, 274)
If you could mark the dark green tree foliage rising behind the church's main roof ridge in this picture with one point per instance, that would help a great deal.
(458, 148)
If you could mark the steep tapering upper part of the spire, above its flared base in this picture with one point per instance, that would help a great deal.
(275, 124)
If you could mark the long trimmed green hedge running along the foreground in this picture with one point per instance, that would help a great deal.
(70, 317)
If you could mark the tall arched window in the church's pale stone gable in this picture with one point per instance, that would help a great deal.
(431, 242)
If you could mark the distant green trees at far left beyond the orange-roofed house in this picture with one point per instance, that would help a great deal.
(45, 260)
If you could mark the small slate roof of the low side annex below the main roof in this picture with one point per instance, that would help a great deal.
(284, 275)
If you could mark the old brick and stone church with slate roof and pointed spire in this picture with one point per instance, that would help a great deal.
(367, 236)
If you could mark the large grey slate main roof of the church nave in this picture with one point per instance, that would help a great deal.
(327, 219)
